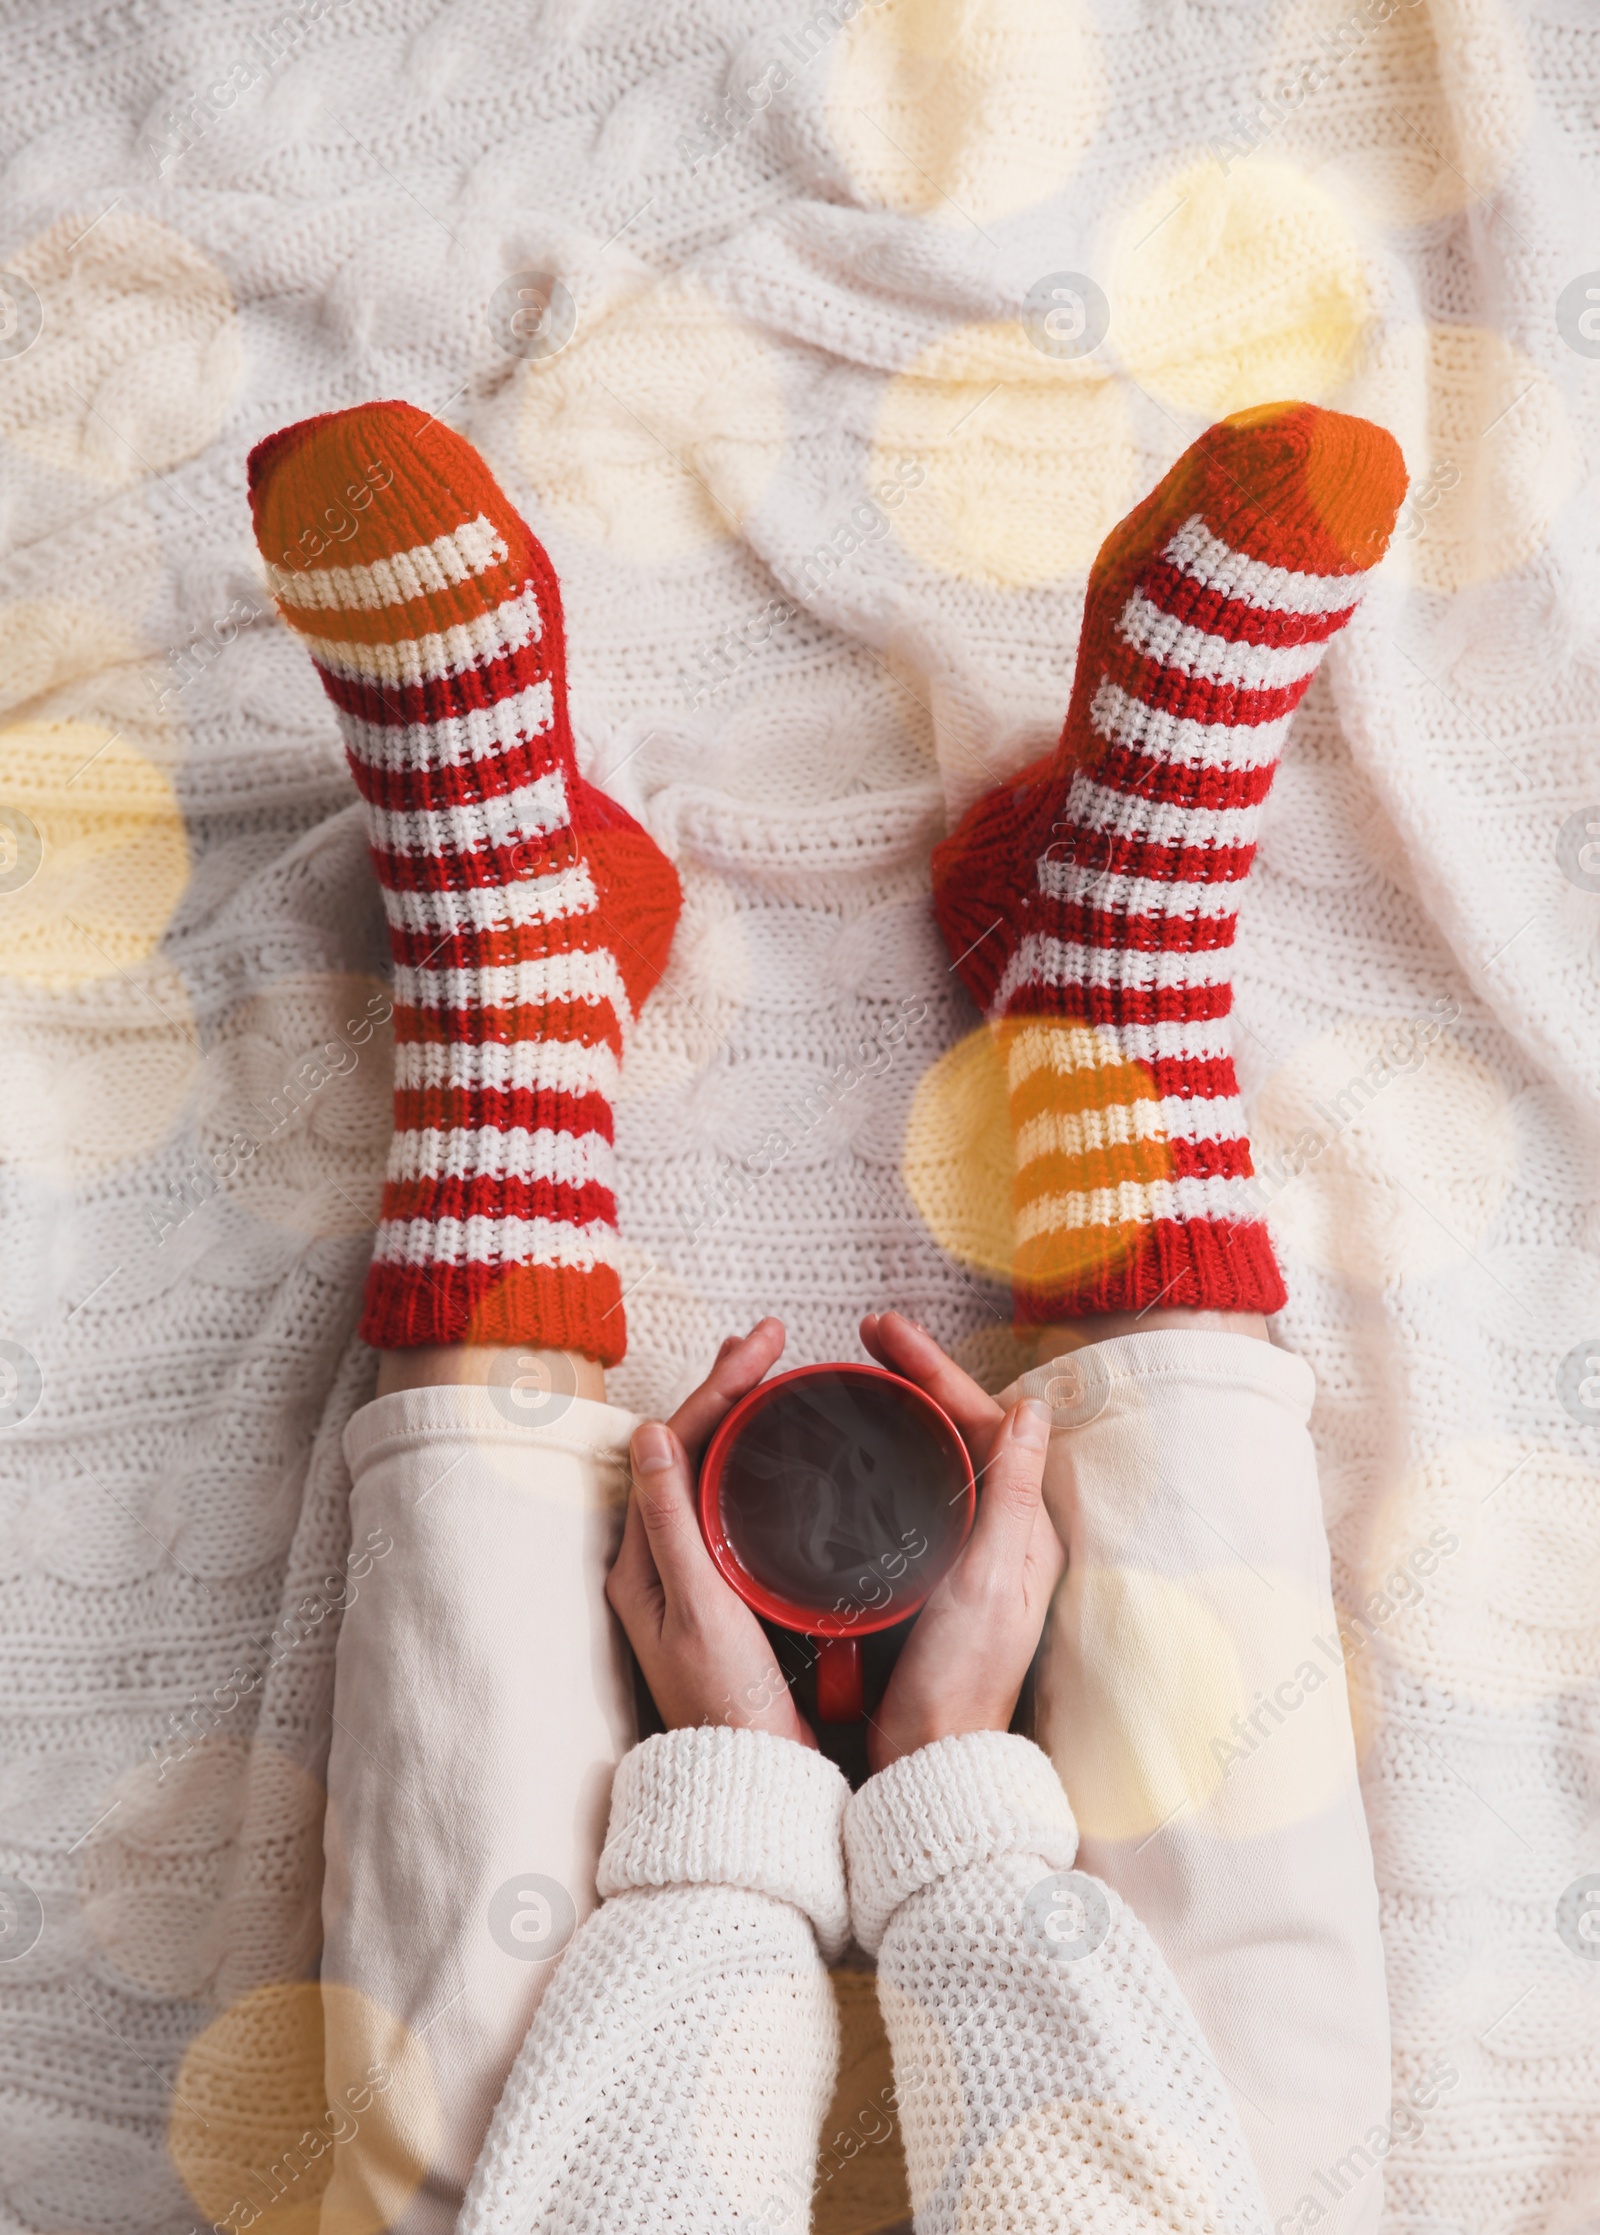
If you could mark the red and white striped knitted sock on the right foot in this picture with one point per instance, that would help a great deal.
(1094, 902)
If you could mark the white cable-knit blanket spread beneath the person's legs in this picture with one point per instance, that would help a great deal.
(870, 321)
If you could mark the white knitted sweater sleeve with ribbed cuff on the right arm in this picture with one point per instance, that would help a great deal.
(1045, 2060)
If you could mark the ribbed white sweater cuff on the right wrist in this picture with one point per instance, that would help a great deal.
(951, 1805)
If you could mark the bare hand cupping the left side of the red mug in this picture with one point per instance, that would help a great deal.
(701, 1648)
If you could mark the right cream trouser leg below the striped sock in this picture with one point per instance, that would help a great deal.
(1192, 1695)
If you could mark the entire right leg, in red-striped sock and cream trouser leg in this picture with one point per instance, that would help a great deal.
(1192, 1680)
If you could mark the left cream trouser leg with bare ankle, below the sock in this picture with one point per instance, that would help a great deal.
(482, 1706)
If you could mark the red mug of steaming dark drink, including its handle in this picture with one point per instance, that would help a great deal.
(835, 1499)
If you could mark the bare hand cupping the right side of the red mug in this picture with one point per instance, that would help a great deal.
(971, 1646)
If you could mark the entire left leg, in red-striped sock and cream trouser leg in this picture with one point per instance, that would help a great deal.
(479, 1691)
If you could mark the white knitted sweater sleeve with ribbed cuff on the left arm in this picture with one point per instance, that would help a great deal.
(680, 2064)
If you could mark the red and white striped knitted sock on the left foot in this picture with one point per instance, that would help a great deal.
(528, 915)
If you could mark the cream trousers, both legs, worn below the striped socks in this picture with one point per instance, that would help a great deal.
(1190, 1691)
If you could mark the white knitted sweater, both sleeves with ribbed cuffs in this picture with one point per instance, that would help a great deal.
(1047, 2071)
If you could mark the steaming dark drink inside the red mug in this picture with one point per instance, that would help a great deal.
(846, 1494)
